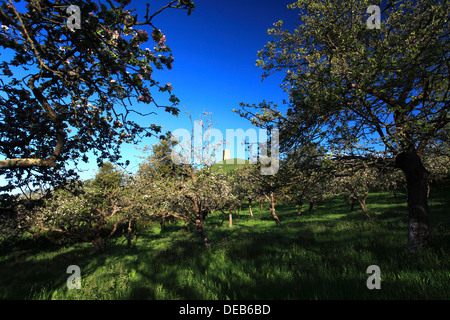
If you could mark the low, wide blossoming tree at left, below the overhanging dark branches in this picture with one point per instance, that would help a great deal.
(91, 213)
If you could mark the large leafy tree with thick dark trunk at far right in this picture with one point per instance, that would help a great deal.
(366, 91)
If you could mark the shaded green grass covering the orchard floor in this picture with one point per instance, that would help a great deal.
(321, 255)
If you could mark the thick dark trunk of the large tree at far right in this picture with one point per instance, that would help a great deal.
(417, 187)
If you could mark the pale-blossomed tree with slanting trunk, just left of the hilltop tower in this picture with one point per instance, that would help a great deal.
(192, 191)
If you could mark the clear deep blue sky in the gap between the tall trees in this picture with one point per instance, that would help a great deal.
(215, 49)
